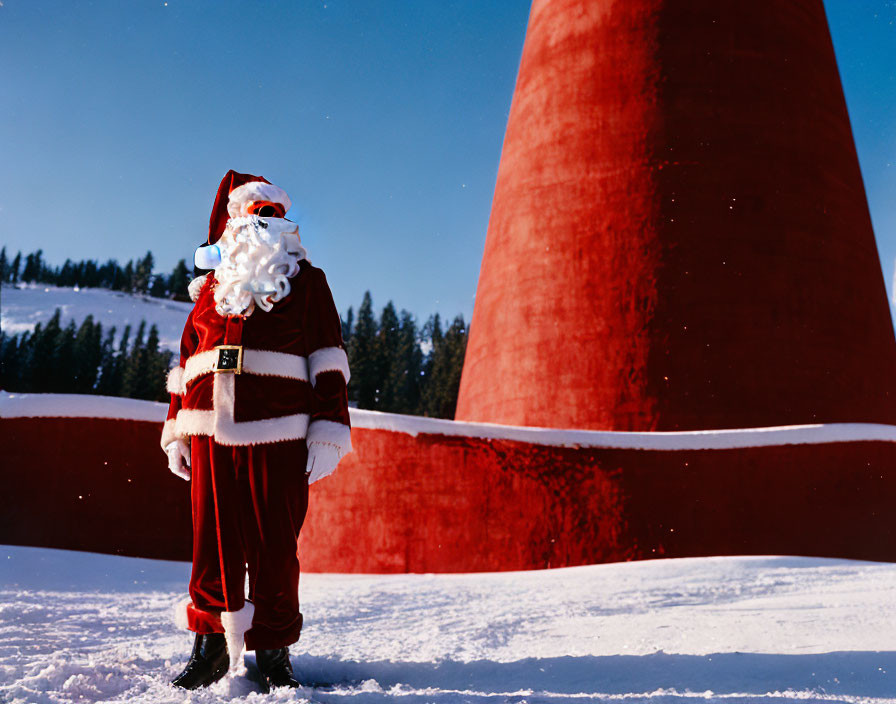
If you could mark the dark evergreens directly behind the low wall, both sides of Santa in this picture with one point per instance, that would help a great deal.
(396, 365)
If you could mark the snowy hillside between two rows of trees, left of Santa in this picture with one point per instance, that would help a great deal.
(21, 308)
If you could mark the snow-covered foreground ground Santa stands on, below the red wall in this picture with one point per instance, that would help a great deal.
(78, 627)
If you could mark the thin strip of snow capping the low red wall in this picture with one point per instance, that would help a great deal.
(19, 405)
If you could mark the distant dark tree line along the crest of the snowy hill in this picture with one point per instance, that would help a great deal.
(134, 277)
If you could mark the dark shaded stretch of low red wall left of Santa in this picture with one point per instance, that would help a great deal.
(92, 484)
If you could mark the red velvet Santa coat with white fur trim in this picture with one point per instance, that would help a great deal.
(293, 375)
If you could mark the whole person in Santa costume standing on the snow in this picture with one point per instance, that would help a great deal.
(259, 410)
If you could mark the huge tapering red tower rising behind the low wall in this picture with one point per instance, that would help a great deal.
(679, 237)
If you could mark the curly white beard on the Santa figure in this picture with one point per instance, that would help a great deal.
(258, 257)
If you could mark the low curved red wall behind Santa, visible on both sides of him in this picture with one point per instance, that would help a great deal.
(437, 503)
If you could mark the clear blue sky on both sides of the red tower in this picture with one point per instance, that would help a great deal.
(383, 120)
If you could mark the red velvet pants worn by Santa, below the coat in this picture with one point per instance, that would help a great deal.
(249, 503)
